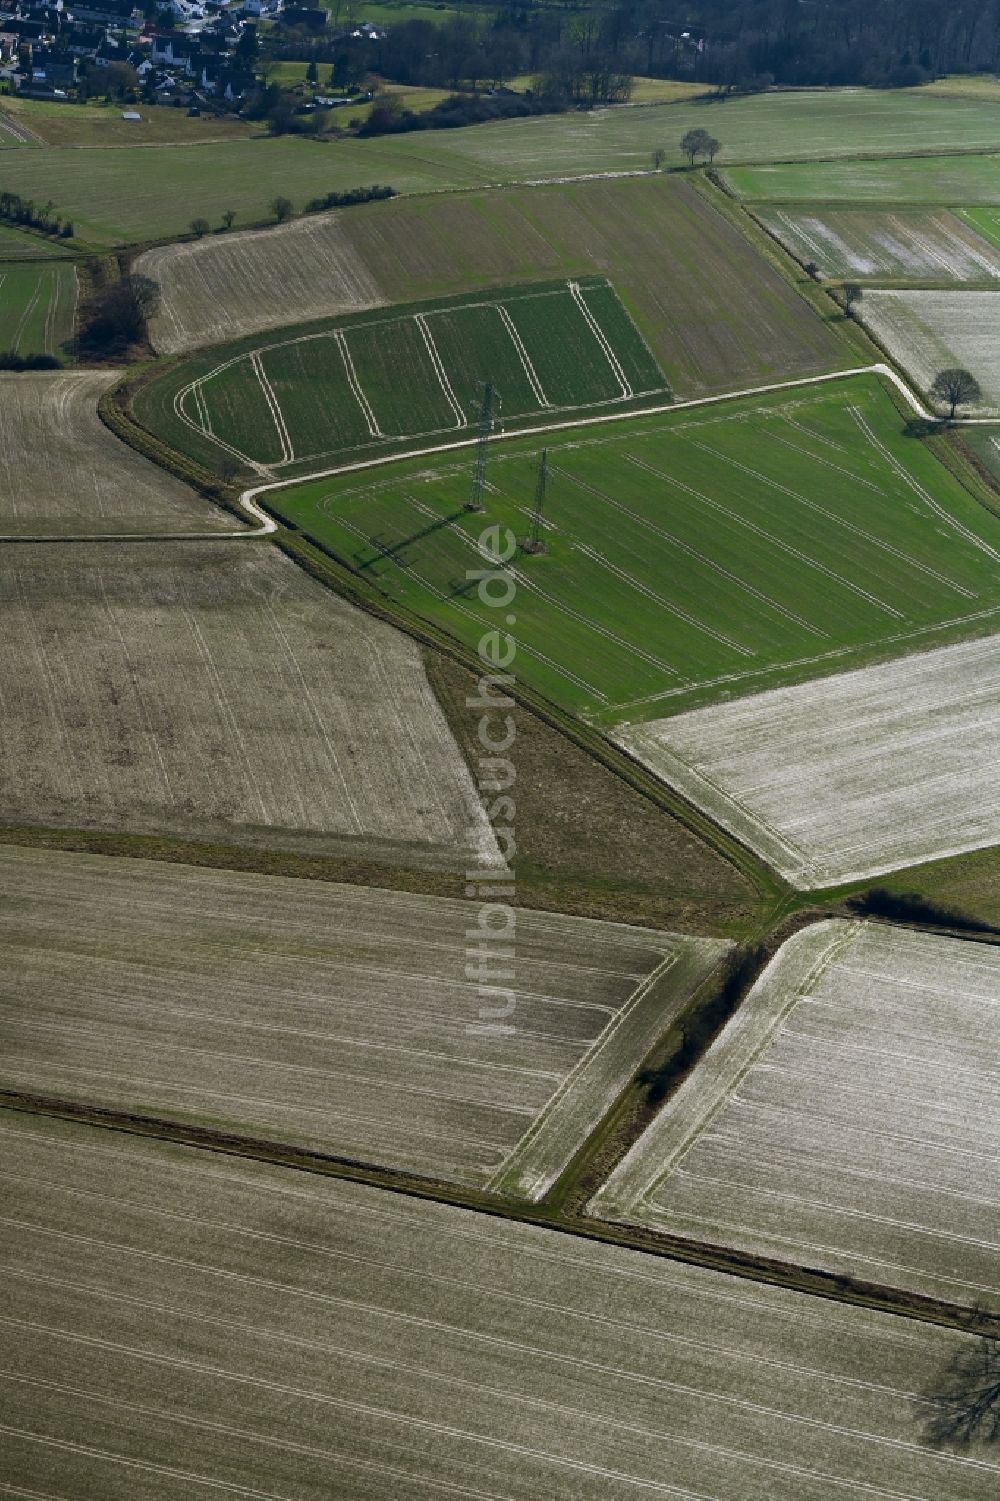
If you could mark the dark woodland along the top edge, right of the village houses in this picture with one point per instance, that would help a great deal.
(589, 56)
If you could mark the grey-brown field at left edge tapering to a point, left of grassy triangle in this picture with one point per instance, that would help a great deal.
(214, 690)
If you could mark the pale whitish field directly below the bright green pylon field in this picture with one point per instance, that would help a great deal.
(848, 777)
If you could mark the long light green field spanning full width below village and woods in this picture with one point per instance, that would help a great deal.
(121, 196)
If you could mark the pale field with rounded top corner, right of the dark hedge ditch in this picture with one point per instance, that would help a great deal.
(846, 1117)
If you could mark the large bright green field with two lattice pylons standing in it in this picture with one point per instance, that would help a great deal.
(693, 555)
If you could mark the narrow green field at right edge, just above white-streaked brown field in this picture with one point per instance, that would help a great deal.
(905, 179)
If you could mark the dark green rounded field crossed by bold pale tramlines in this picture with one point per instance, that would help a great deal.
(418, 376)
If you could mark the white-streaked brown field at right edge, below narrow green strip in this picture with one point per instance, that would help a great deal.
(915, 245)
